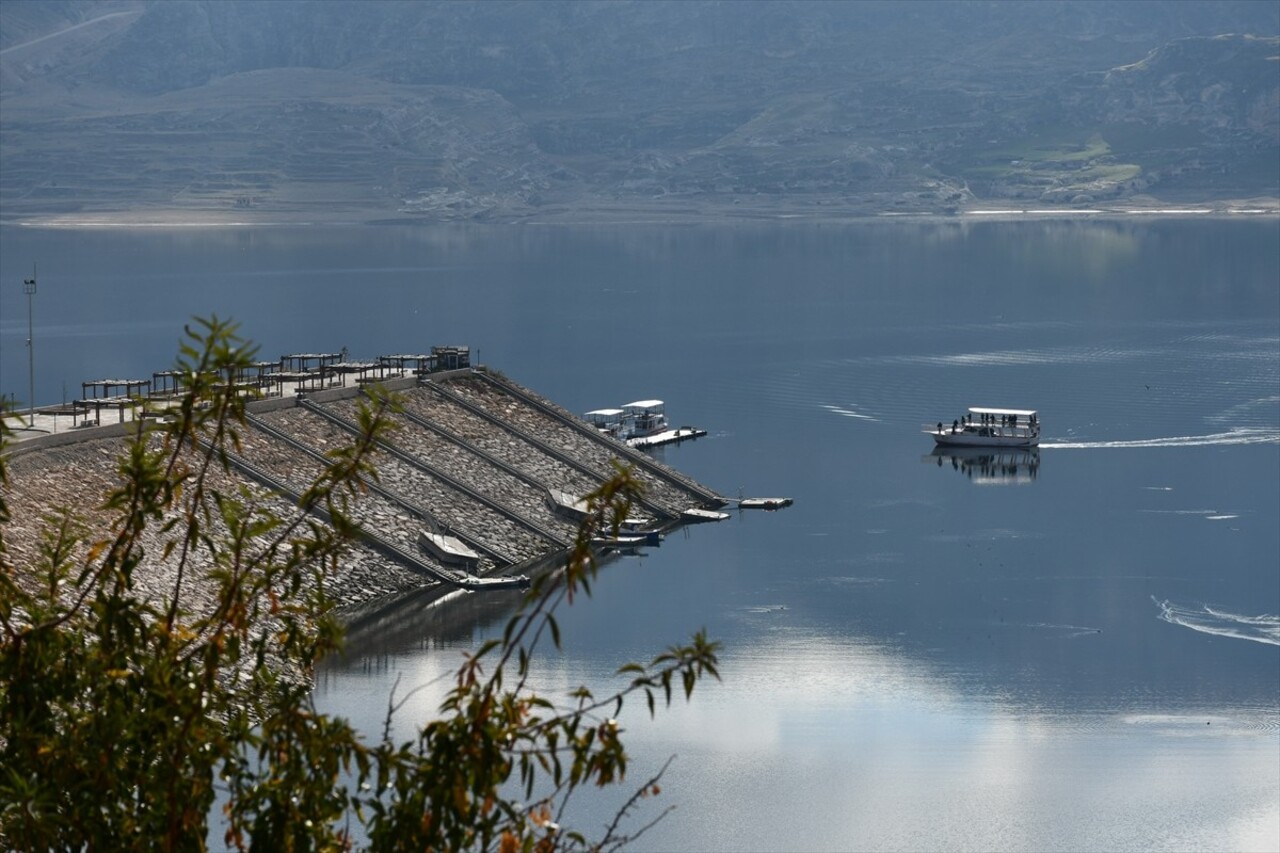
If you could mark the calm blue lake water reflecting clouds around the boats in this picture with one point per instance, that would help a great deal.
(1072, 651)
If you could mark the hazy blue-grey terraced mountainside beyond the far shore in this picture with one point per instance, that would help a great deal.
(506, 111)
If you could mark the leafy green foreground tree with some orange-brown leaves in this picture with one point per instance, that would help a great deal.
(126, 714)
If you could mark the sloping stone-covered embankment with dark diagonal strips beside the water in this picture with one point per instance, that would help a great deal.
(476, 462)
